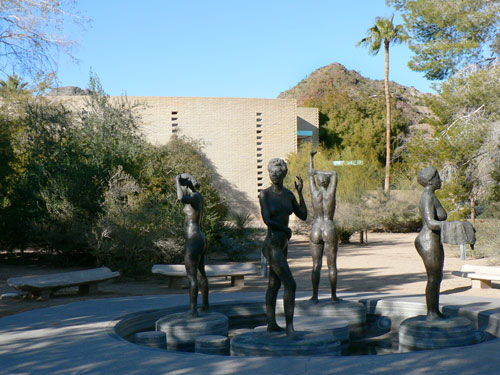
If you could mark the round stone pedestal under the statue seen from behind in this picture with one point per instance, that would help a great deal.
(354, 313)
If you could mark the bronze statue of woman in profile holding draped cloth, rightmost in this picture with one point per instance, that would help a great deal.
(428, 241)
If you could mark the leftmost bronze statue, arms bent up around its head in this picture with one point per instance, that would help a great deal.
(196, 242)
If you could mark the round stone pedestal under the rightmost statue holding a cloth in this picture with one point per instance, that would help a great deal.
(417, 333)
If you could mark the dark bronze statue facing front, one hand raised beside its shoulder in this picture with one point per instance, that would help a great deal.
(277, 203)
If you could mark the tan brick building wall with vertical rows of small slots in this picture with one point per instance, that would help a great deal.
(228, 129)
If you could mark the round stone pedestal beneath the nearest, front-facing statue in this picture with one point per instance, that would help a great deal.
(279, 344)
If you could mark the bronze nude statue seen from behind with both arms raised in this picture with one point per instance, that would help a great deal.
(323, 234)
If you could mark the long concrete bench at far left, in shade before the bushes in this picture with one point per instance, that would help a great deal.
(46, 285)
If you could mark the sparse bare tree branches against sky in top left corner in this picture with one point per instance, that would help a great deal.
(32, 33)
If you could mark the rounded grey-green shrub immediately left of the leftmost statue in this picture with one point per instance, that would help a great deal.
(136, 229)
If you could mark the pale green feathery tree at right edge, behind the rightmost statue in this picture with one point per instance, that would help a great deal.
(465, 140)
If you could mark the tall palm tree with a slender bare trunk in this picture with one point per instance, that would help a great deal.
(385, 31)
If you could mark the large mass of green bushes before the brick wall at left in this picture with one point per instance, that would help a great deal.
(88, 187)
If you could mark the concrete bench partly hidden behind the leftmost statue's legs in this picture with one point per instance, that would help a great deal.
(237, 271)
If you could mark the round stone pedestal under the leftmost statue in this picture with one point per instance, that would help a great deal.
(182, 329)
